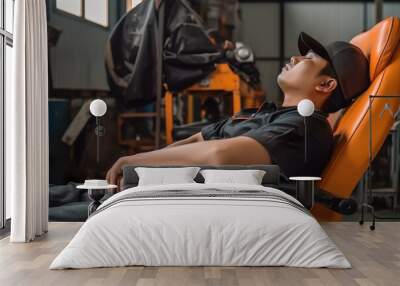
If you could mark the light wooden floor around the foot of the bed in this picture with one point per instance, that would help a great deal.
(375, 257)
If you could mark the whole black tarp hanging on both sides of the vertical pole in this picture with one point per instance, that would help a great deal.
(131, 54)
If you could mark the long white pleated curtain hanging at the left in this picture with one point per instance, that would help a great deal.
(27, 124)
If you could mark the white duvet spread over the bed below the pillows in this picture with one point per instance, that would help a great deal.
(200, 232)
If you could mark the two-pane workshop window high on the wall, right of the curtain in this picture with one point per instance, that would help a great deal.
(95, 11)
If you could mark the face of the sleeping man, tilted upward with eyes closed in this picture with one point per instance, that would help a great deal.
(302, 74)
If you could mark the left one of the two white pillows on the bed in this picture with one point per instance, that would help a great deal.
(163, 176)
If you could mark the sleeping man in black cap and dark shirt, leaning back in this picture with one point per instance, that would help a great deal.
(331, 77)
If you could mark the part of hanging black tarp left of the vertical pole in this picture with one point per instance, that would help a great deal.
(130, 55)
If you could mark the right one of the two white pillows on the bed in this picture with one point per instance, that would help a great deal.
(248, 177)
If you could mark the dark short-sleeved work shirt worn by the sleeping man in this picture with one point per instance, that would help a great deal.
(281, 131)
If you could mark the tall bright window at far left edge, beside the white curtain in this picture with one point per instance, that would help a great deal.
(6, 65)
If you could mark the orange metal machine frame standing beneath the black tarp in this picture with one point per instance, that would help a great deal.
(223, 79)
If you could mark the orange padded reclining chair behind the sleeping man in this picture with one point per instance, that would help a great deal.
(350, 158)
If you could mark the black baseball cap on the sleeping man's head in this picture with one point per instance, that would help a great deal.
(349, 64)
